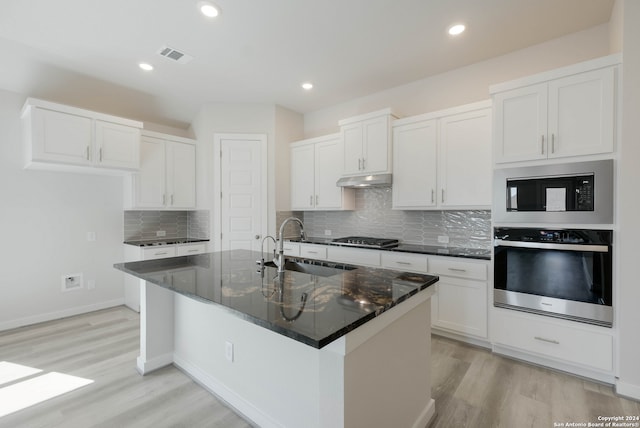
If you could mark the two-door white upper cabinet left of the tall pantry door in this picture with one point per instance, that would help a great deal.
(167, 176)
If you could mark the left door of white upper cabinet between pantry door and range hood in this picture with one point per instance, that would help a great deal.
(302, 177)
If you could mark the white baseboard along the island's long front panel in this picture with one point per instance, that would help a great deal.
(220, 390)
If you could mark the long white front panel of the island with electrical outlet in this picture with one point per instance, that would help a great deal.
(272, 380)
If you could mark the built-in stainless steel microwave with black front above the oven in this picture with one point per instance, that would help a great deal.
(571, 193)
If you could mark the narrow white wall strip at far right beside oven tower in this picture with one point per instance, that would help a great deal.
(629, 207)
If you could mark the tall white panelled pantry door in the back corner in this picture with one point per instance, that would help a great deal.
(243, 207)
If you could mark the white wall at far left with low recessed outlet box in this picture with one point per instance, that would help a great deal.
(45, 217)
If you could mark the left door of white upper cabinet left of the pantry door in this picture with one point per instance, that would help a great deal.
(150, 185)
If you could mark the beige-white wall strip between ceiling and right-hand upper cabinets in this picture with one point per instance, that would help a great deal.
(467, 84)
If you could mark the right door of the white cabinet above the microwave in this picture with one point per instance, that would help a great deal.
(581, 114)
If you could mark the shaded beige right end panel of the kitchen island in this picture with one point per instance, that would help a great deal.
(387, 378)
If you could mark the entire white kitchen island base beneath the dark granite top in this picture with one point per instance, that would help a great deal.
(377, 375)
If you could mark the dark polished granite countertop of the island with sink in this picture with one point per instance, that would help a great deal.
(311, 309)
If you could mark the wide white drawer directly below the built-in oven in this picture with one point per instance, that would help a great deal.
(579, 348)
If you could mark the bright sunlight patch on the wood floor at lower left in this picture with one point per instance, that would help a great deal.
(35, 390)
